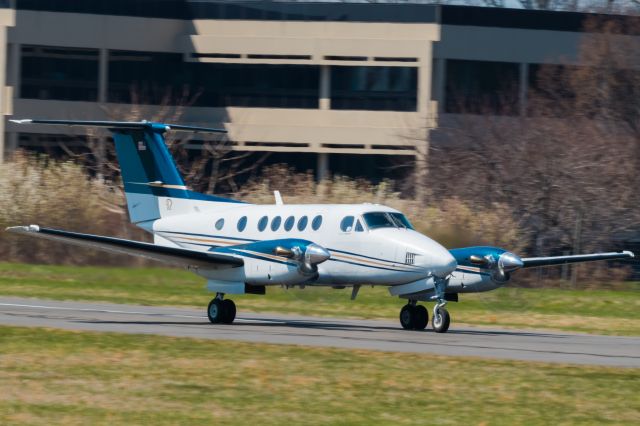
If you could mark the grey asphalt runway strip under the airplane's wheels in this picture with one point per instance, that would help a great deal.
(526, 345)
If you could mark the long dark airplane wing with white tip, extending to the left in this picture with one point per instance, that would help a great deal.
(172, 255)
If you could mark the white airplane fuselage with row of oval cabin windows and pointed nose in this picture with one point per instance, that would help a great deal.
(360, 253)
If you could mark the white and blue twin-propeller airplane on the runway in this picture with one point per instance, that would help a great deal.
(243, 248)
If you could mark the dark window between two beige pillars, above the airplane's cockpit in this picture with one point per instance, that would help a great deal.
(374, 88)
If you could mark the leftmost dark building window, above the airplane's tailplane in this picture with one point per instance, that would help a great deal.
(59, 73)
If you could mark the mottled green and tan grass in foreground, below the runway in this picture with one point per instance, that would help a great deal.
(62, 377)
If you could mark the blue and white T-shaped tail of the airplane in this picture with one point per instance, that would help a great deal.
(153, 185)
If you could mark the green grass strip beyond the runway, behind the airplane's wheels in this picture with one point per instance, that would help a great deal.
(593, 311)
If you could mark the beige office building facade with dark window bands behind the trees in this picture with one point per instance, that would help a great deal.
(323, 80)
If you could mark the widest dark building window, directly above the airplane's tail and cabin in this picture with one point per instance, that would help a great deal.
(165, 78)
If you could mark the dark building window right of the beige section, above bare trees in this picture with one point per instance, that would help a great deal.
(481, 87)
